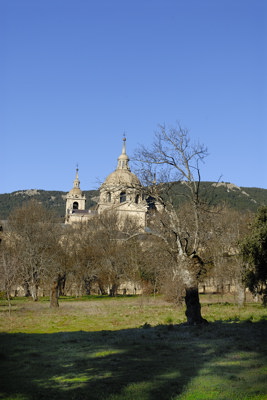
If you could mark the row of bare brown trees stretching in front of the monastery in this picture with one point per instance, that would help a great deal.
(45, 257)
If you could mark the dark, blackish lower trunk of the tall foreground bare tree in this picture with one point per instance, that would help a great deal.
(193, 307)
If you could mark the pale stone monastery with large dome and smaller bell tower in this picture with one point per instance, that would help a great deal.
(121, 193)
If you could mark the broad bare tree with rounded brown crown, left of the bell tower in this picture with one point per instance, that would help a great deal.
(34, 234)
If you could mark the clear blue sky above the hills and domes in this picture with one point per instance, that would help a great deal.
(74, 75)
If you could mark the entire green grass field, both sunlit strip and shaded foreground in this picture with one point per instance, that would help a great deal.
(132, 348)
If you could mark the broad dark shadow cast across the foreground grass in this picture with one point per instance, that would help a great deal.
(146, 363)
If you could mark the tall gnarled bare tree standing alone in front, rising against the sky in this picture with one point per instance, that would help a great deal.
(173, 157)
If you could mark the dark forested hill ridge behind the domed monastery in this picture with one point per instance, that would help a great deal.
(240, 198)
